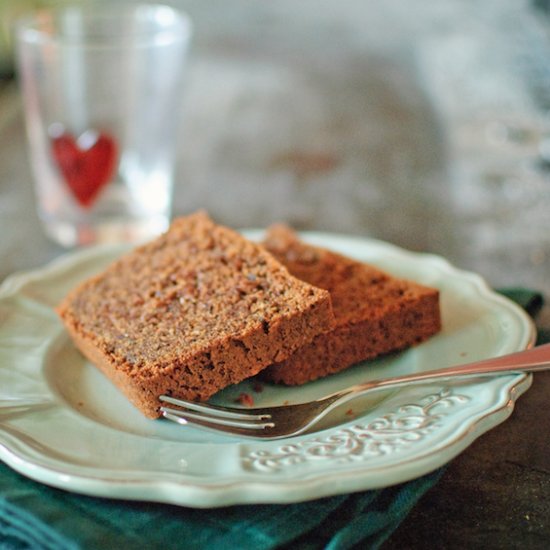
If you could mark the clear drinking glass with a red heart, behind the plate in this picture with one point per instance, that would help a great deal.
(102, 94)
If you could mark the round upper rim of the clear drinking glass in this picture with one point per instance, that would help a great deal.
(44, 26)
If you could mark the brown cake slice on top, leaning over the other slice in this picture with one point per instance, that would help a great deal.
(192, 312)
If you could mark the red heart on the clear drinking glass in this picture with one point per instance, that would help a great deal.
(87, 163)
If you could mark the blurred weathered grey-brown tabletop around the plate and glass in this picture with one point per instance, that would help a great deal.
(423, 126)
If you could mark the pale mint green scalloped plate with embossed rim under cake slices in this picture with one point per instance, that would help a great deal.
(62, 423)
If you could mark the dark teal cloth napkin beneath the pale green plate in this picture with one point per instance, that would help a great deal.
(37, 517)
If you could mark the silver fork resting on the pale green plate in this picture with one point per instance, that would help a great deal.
(290, 420)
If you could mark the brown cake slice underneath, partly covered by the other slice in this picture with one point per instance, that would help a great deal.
(375, 312)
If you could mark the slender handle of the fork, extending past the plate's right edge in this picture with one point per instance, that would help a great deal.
(530, 360)
